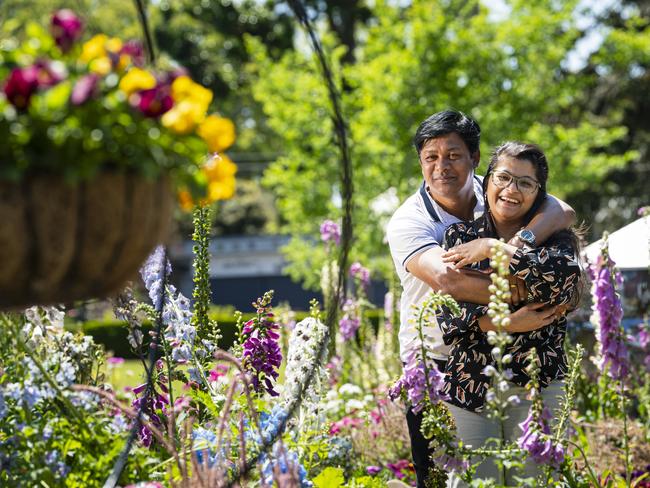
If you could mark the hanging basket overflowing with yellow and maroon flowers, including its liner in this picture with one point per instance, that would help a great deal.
(93, 145)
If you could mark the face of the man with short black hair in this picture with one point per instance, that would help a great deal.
(447, 165)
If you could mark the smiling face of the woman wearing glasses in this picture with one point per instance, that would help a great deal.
(512, 189)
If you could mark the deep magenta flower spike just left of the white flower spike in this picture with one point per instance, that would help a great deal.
(261, 351)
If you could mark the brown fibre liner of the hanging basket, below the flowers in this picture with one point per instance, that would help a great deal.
(60, 242)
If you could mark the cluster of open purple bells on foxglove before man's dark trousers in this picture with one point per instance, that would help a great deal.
(414, 382)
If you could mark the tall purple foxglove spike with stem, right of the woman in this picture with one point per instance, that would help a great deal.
(612, 354)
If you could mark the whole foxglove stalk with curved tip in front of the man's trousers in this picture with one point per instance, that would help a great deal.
(421, 386)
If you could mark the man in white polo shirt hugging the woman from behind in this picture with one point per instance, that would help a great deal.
(447, 144)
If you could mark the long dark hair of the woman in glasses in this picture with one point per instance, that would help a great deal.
(534, 154)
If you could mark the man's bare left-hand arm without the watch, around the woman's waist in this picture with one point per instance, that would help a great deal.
(462, 285)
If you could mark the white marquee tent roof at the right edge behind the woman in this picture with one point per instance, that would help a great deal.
(629, 246)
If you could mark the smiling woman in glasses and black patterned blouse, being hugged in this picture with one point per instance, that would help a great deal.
(514, 188)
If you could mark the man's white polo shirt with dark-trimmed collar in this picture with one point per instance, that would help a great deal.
(417, 225)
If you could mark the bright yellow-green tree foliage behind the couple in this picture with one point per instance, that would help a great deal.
(416, 60)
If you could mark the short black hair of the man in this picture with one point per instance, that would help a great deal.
(446, 122)
